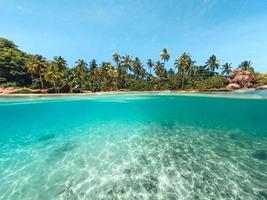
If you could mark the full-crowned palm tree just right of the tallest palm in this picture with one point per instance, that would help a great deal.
(183, 64)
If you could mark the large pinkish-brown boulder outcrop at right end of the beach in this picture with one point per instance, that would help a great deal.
(241, 79)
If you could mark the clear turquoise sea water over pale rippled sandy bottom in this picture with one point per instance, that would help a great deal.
(141, 146)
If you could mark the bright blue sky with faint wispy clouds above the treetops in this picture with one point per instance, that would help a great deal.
(233, 30)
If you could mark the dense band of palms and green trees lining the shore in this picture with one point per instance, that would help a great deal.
(19, 69)
